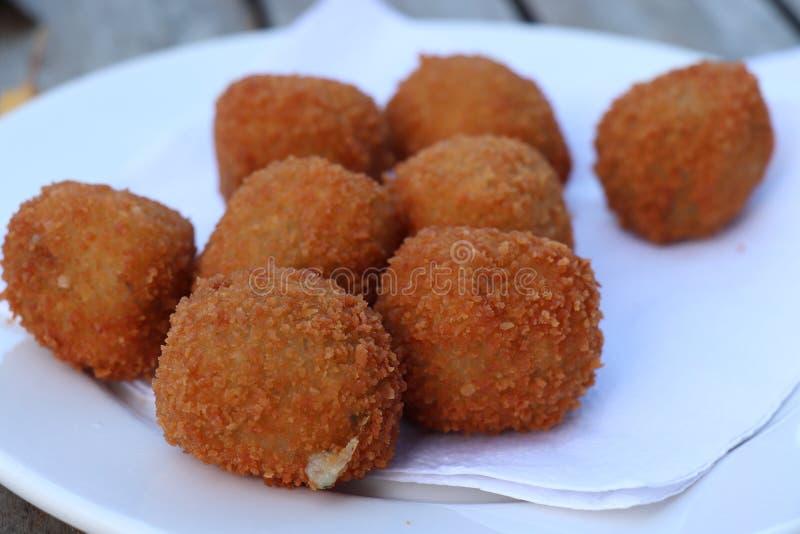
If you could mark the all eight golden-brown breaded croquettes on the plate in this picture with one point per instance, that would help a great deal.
(273, 363)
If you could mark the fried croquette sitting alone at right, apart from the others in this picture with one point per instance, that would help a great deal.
(679, 156)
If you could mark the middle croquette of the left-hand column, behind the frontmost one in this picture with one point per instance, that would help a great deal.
(307, 212)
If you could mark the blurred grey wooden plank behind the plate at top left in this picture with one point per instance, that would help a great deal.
(83, 35)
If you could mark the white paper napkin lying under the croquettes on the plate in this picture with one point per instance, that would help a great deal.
(701, 337)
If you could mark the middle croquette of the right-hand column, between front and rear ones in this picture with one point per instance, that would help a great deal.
(482, 181)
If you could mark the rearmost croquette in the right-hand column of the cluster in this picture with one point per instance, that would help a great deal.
(473, 95)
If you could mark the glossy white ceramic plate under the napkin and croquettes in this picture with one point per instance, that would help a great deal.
(80, 449)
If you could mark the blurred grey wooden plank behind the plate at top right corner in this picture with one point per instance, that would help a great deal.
(731, 28)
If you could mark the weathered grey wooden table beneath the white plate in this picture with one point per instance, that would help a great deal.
(46, 42)
